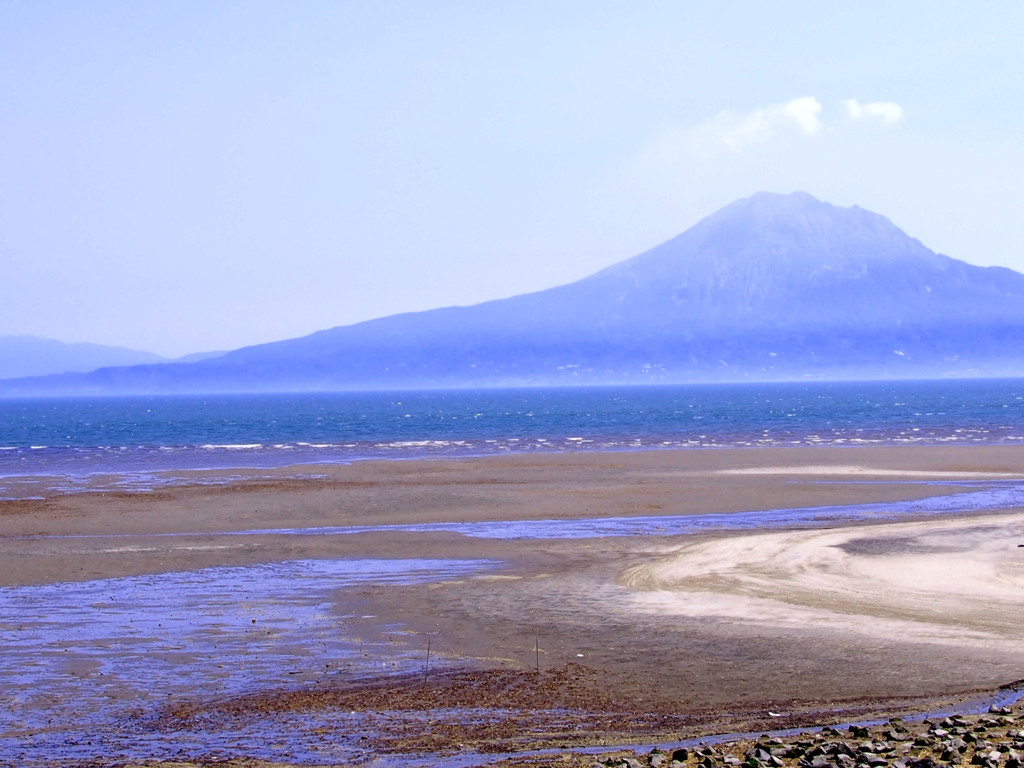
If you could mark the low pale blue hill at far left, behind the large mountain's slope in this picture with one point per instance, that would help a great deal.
(31, 356)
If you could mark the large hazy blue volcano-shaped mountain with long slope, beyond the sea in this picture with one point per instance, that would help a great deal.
(773, 287)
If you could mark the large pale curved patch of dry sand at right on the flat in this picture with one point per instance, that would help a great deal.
(951, 582)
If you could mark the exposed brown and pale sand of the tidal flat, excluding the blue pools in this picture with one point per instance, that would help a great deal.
(687, 634)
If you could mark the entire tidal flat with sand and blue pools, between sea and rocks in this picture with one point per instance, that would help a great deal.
(727, 590)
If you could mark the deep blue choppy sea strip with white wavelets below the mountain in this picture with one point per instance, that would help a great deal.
(135, 438)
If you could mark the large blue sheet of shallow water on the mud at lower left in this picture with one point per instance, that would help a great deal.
(79, 658)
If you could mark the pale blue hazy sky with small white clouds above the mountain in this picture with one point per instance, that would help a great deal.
(185, 177)
